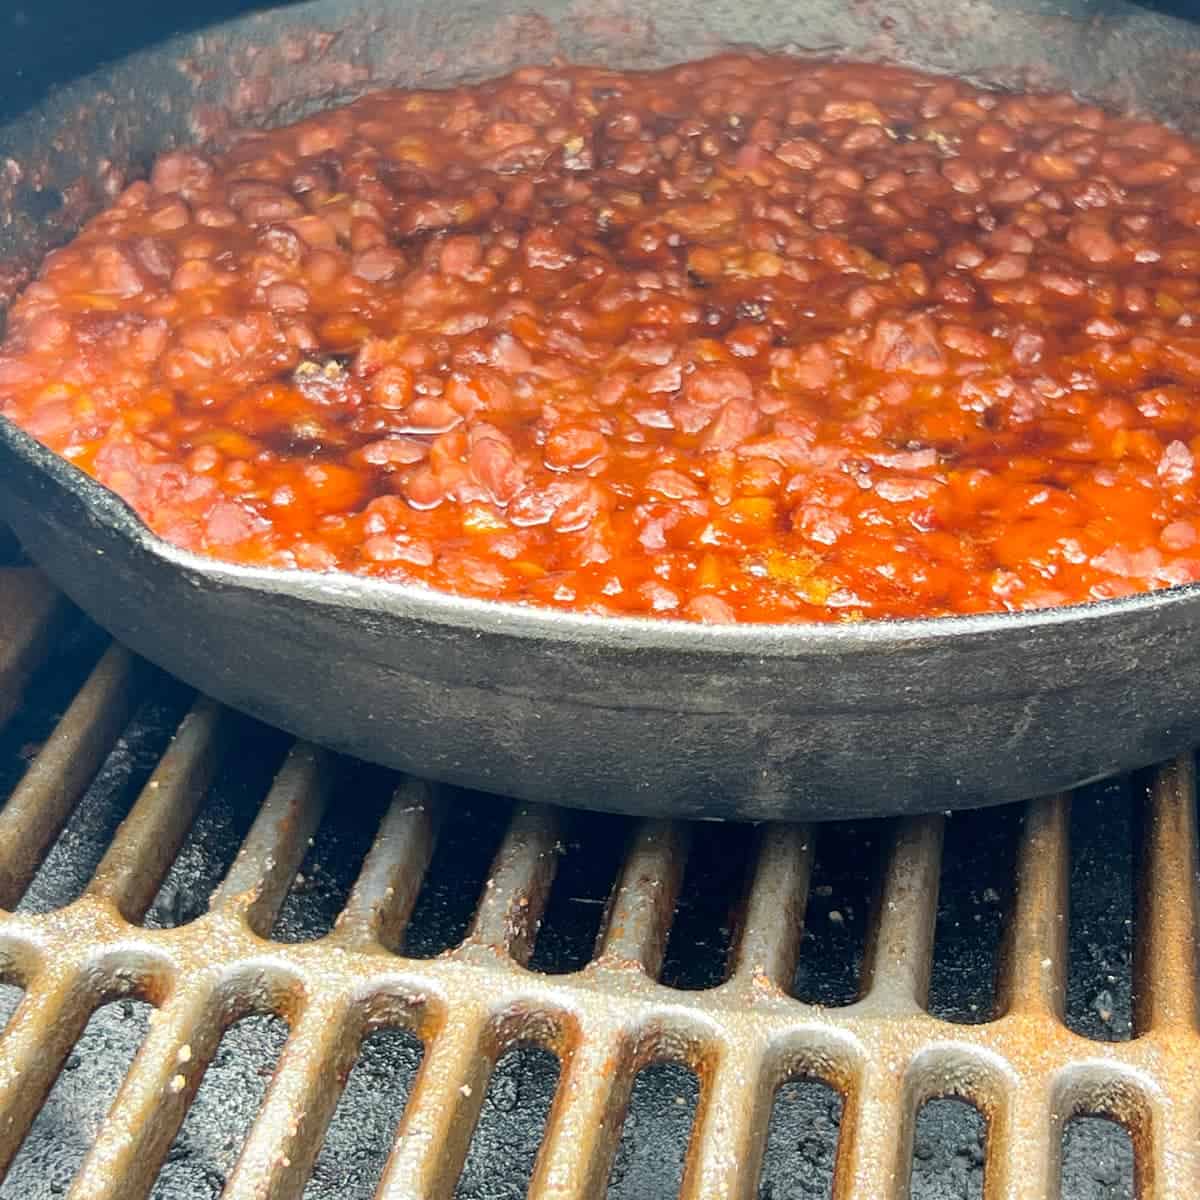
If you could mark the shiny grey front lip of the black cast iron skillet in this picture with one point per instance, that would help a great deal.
(346, 591)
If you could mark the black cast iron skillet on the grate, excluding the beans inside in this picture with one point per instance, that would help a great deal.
(627, 715)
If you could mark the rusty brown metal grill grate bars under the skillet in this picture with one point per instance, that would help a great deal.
(734, 1046)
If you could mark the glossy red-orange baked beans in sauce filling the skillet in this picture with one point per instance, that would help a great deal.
(753, 339)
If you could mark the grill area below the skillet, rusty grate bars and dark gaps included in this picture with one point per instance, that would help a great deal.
(232, 965)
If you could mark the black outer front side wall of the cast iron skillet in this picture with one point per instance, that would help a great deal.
(789, 728)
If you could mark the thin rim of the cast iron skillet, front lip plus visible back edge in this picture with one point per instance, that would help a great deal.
(417, 603)
